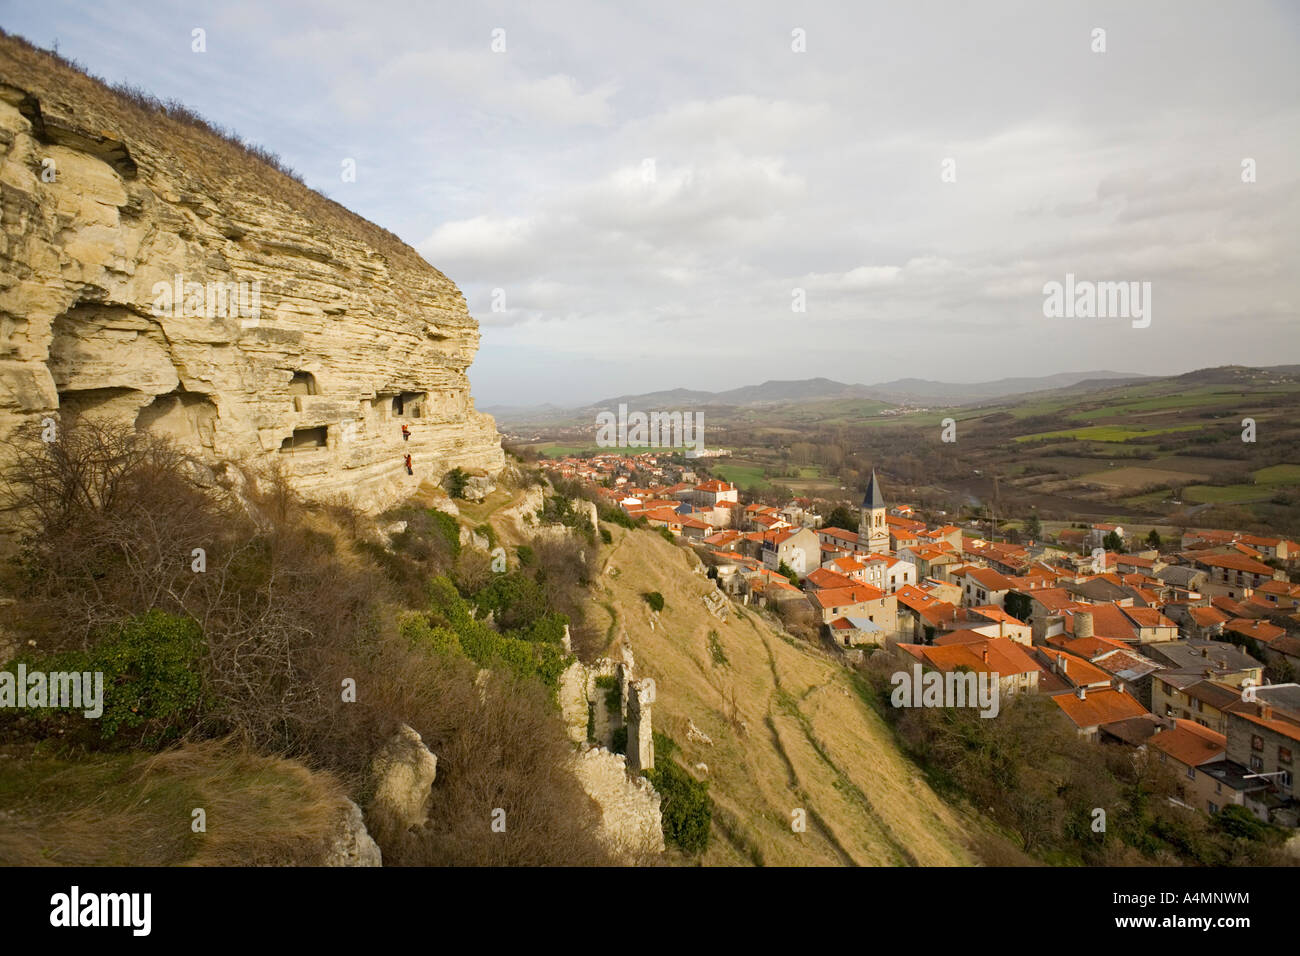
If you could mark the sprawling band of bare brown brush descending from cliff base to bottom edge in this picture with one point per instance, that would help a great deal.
(291, 611)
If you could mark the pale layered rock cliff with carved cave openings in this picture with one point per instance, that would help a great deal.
(154, 272)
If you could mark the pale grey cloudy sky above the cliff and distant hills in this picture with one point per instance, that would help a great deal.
(631, 194)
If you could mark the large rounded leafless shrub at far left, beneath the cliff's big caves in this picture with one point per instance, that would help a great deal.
(110, 520)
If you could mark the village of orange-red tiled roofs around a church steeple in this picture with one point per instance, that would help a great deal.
(1189, 650)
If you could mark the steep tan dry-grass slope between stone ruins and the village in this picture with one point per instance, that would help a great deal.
(788, 729)
